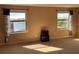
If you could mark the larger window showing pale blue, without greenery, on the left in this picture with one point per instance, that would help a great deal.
(17, 20)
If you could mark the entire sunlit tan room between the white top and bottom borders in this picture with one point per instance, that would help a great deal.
(39, 29)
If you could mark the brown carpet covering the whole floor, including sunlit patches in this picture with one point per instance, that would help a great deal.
(55, 46)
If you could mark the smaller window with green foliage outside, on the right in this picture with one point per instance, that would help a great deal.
(63, 20)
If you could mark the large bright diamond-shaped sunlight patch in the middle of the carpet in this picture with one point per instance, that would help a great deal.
(42, 48)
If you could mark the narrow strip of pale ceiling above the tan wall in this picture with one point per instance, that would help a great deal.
(52, 5)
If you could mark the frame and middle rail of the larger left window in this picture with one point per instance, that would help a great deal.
(25, 21)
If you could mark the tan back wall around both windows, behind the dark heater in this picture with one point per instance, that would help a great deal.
(39, 17)
